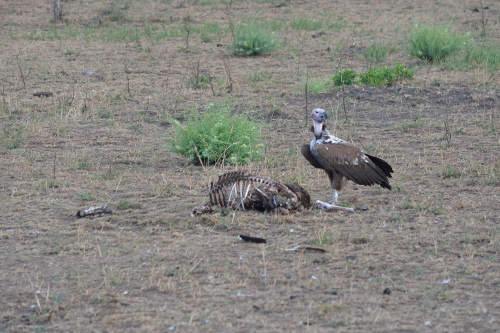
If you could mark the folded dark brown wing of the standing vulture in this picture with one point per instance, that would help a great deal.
(352, 163)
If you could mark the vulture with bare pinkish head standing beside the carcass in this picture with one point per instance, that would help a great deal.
(342, 160)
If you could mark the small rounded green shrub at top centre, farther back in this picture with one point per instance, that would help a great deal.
(253, 39)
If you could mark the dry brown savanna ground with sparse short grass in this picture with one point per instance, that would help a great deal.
(433, 240)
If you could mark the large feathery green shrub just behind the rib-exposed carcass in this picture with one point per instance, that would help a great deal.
(218, 137)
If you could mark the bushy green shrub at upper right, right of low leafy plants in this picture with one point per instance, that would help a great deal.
(435, 44)
